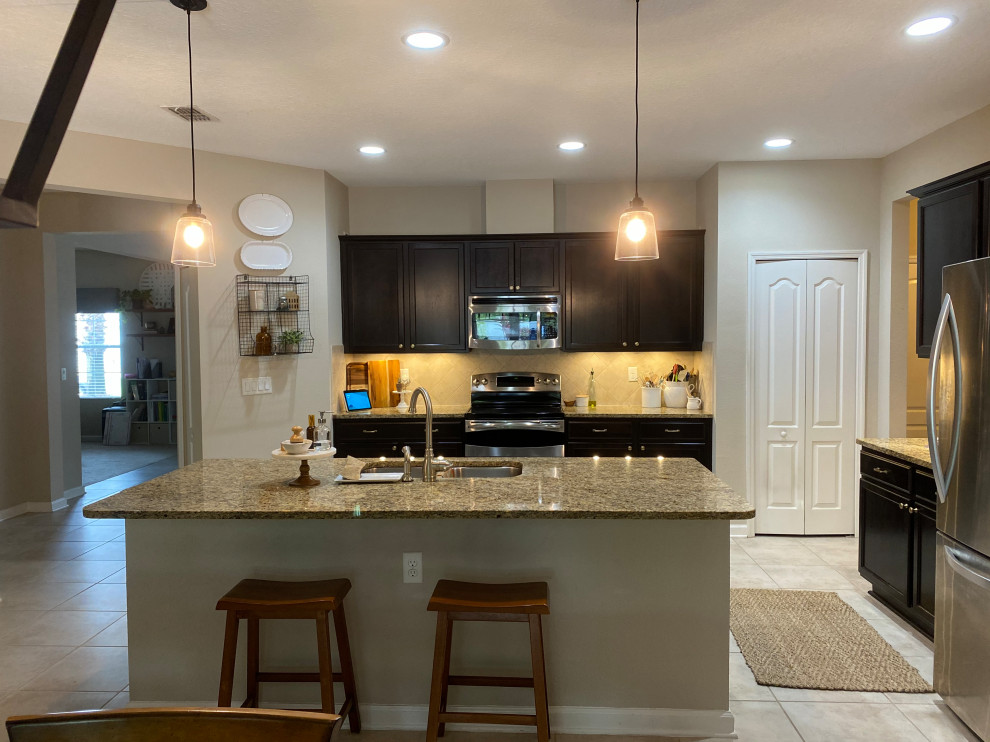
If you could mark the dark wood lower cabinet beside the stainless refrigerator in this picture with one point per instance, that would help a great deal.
(897, 537)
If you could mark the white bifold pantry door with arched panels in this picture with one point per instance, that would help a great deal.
(805, 399)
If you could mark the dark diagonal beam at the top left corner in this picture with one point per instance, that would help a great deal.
(20, 196)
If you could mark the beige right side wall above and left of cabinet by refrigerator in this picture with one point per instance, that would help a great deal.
(960, 145)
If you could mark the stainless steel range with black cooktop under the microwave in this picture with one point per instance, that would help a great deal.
(514, 414)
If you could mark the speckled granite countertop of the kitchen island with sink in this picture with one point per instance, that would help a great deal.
(640, 488)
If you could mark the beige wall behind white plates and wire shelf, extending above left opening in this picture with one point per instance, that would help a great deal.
(232, 425)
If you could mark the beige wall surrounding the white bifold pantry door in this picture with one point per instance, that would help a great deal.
(782, 207)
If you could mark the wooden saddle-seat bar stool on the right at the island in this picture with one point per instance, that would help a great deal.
(473, 601)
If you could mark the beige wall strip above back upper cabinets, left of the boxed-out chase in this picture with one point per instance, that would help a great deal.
(417, 210)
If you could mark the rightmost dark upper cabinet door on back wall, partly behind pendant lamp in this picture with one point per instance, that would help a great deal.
(666, 296)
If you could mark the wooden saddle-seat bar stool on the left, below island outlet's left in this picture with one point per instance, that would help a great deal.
(258, 599)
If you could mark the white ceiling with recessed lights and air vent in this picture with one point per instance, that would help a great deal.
(307, 81)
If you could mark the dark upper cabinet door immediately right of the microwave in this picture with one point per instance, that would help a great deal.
(594, 296)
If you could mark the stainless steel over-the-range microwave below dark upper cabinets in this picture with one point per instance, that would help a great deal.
(515, 322)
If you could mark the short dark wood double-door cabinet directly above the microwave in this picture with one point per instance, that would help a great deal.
(509, 267)
